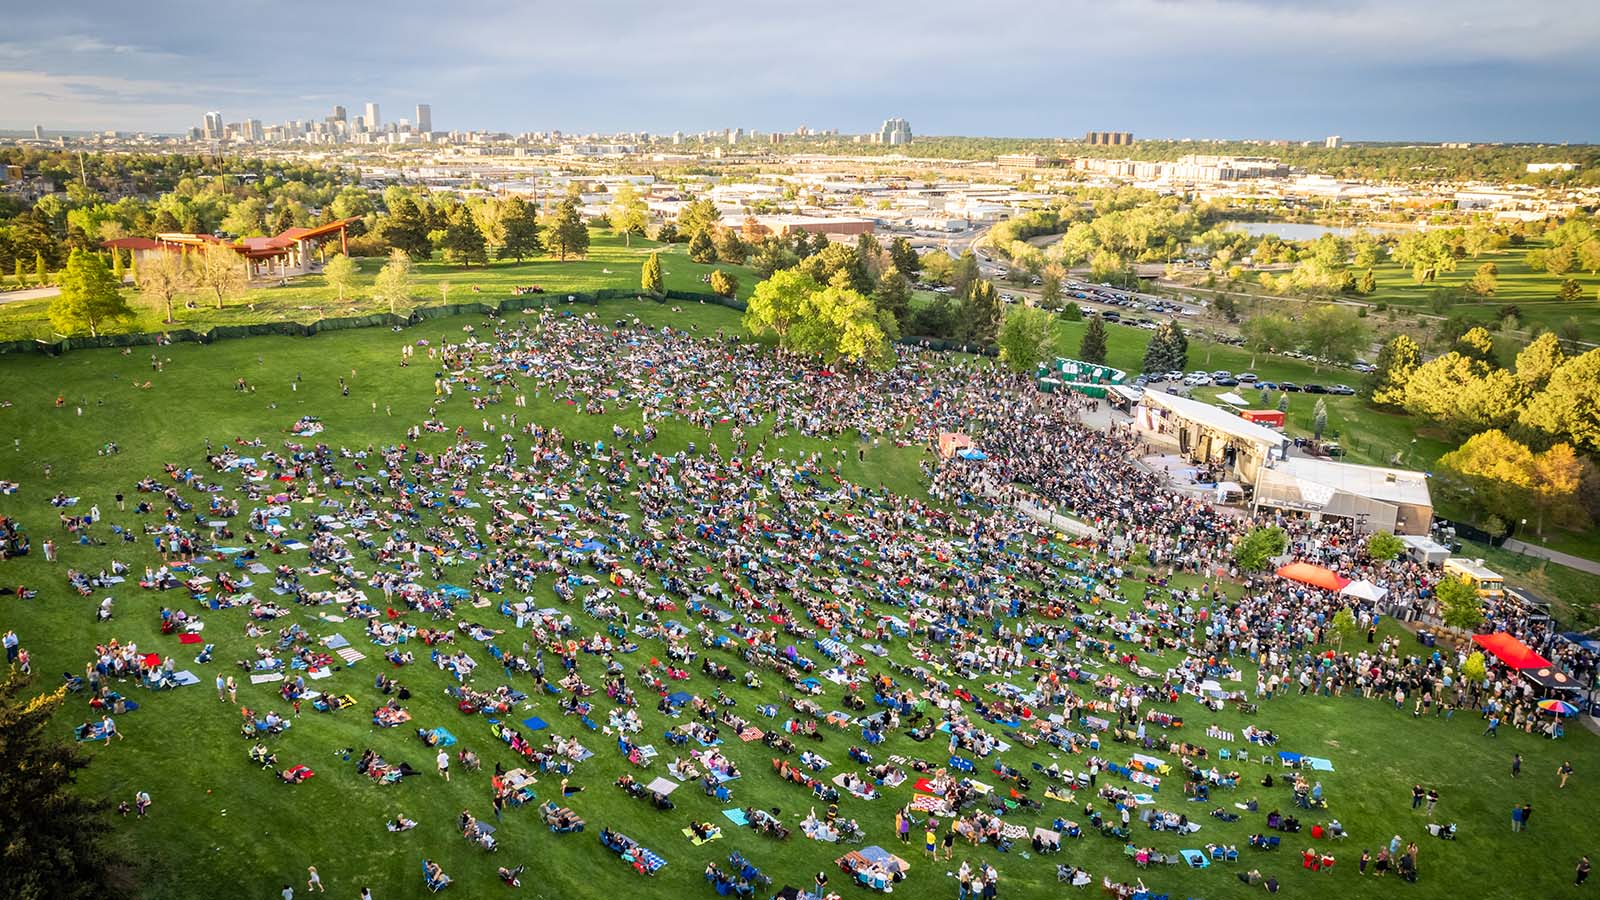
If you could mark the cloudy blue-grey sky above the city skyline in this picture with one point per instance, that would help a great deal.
(1366, 70)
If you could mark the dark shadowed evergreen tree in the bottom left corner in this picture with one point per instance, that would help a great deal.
(54, 842)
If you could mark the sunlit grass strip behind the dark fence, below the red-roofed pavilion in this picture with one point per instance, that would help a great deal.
(609, 265)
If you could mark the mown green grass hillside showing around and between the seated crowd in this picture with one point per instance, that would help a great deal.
(222, 826)
